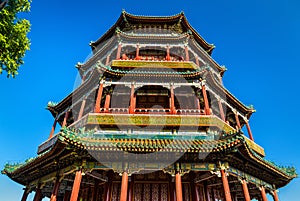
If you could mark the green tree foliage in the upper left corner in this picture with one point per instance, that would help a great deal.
(13, 36)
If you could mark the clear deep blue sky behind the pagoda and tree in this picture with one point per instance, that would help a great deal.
(258, 42)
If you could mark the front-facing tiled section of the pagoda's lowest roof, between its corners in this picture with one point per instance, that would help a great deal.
(154, 145)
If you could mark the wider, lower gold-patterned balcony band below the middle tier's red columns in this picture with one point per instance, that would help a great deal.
(153, 118)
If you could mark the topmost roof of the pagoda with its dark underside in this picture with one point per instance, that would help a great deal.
(126, 19)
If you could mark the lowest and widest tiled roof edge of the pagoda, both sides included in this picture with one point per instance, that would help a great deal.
(144, 146)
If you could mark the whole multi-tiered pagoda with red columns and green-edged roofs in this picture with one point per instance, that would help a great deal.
(151, 121)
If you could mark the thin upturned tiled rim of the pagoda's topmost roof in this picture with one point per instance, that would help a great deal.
(154, 19)
